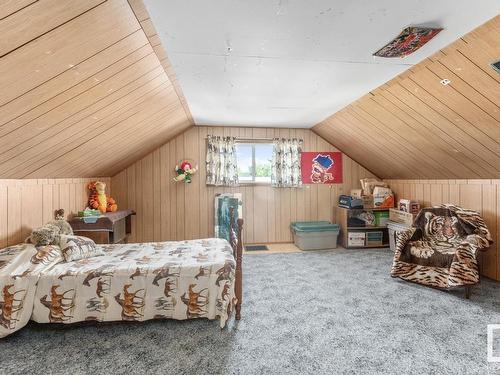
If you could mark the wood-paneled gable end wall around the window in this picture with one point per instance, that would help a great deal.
(167, 210)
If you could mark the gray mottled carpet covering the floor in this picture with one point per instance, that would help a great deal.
(330, 312)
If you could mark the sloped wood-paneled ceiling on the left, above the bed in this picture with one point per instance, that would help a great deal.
(83, 90)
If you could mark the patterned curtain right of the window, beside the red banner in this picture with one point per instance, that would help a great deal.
(285, 171)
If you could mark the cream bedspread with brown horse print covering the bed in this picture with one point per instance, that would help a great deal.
(131, 282)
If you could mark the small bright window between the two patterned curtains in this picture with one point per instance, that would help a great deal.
(254, 162)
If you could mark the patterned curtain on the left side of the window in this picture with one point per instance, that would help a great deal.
(222, 166)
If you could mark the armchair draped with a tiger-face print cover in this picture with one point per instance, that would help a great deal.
(441, 249)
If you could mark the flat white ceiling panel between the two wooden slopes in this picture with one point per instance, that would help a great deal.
(293, 63)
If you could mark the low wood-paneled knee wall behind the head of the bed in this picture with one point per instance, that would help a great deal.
(30, 203)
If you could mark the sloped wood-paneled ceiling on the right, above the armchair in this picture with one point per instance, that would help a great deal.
(414, 127)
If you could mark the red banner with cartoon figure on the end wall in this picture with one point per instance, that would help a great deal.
(321, 167)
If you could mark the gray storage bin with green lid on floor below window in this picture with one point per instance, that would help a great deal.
(315, 235)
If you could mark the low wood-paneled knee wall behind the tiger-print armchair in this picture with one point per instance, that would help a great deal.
(479, 195)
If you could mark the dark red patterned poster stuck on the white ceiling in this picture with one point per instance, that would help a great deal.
(407, 42)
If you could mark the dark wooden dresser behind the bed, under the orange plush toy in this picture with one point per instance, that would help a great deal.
(111, 227)
